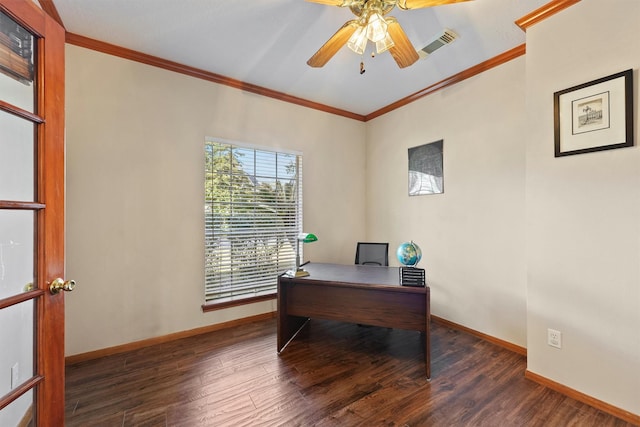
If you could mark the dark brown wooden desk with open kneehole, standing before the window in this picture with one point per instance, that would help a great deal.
(369, 295)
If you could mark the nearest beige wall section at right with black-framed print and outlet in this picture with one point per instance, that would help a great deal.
(583, 213)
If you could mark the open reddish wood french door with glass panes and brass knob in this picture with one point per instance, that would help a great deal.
(31, 216)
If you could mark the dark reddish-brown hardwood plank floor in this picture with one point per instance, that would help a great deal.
(331, 374)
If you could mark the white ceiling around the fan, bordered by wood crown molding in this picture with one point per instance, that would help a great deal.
(267, 42)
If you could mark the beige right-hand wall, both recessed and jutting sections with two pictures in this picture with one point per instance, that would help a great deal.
(521, 241)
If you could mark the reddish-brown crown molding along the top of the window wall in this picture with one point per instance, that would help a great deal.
(132, 55)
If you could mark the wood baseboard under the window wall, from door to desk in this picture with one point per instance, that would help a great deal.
(91, 355)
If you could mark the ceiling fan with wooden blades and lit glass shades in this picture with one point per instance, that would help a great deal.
(373, 24)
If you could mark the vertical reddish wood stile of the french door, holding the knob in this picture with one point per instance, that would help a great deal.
(51, 162)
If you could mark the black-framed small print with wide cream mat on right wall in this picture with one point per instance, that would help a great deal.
(594, 116)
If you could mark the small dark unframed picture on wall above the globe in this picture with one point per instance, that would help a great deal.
(425, 169)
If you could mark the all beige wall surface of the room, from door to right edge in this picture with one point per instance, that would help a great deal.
(519, 242)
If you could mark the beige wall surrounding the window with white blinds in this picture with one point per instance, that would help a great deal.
(135, 138)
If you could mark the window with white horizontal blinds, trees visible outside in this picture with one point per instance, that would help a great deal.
(253, 214)
